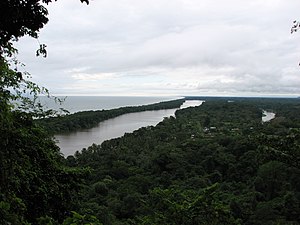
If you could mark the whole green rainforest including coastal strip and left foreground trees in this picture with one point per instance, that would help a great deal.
(214, 164)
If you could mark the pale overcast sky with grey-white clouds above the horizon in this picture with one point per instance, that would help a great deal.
(168, 48)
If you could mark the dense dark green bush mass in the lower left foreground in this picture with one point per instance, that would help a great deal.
(33, 170)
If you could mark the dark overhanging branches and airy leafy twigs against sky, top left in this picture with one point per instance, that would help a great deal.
(17, 19)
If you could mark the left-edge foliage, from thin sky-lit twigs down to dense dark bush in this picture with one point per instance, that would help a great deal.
(35, 184)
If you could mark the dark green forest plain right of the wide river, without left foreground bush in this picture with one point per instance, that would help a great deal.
(213, 164)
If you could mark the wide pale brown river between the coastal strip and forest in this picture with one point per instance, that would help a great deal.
(69, 143)
